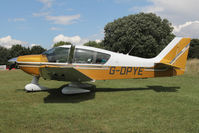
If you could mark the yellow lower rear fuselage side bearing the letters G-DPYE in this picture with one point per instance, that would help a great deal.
(129, 73)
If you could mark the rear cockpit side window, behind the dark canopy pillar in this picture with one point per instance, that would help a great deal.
(90, 57)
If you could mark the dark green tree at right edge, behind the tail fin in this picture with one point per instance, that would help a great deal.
(194, 48)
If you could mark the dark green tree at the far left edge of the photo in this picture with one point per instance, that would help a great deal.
(4, 55)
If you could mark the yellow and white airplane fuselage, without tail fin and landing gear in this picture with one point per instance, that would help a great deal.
(82, 63)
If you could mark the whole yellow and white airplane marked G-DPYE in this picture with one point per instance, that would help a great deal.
(78, 64)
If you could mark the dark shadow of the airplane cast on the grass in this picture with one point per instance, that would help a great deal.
(55, 95)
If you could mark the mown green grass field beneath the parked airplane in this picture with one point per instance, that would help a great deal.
(159, 105)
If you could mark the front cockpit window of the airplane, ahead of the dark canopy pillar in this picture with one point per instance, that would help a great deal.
(57, 54)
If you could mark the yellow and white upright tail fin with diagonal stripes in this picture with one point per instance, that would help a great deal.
(175, 54)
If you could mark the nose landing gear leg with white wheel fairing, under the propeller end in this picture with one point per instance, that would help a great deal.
(34, 85)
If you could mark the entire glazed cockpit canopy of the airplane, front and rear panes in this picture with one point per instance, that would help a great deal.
(77, 55)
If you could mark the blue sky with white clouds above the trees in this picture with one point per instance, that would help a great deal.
(45, 22)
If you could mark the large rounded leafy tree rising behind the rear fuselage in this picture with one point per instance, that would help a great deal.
(146, 32)
